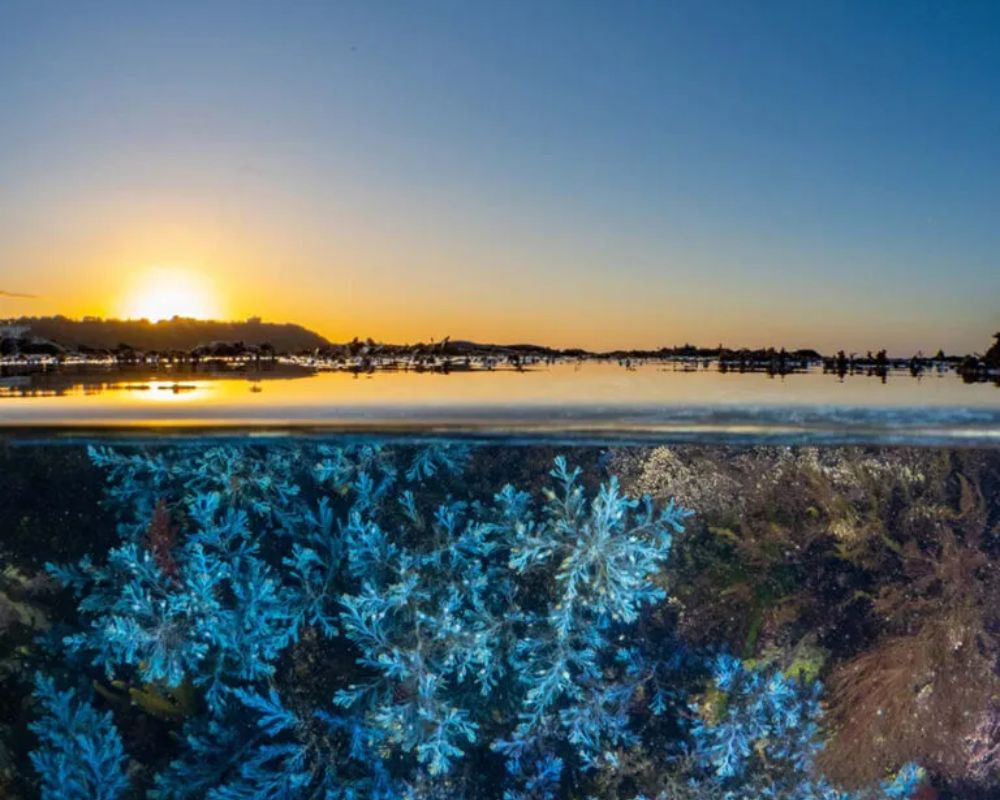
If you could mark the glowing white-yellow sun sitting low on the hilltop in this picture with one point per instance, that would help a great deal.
(165, 292)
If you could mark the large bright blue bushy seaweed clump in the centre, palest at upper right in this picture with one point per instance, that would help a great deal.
(463, 613)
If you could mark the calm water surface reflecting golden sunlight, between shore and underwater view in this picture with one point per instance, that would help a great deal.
(590, 397)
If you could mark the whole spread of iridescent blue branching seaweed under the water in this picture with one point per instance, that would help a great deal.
(356, 626)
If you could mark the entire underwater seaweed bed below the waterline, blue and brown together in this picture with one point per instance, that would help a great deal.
(366, 618)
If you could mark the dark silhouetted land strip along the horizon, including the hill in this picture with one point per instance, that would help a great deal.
(191, 340)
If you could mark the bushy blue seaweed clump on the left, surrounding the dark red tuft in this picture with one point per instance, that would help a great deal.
(221, 617)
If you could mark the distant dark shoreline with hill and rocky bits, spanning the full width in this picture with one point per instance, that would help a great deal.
(59, 342)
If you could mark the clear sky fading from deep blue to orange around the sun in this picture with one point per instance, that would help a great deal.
(809, 174)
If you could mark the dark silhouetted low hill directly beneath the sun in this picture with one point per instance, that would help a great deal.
(179, 333)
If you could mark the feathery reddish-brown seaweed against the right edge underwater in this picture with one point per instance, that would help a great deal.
(927, 688)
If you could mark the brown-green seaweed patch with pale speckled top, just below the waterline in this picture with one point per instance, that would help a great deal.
(787, 541)
